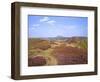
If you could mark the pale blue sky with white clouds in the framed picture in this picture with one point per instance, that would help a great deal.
(52, 26)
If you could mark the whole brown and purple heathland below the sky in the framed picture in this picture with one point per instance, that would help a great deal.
(57, 51)
